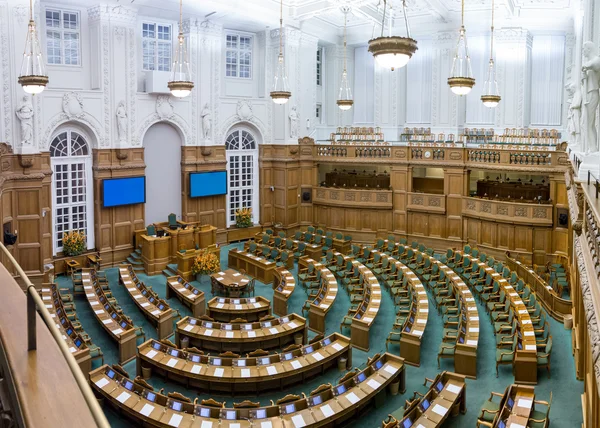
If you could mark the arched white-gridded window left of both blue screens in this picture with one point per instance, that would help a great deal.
(72, 190)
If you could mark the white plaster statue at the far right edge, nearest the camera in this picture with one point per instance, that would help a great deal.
(590, 95)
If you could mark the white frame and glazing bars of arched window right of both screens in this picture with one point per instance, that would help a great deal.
(255, 185)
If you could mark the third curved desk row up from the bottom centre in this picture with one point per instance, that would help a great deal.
(241, 337)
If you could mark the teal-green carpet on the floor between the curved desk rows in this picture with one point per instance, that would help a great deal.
(566, 408)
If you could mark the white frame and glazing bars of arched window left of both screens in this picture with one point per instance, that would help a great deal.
(89, 188)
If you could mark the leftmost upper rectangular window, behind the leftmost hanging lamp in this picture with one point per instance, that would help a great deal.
(62, 37)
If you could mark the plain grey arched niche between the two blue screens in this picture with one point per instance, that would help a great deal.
(162, 154)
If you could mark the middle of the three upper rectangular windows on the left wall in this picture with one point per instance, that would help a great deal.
(157, 46)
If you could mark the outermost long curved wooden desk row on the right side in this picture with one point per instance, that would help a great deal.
(525, 356)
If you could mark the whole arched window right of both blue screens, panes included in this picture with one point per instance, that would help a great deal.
(242, 170)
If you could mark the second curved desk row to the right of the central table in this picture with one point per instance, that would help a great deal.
(316, 276)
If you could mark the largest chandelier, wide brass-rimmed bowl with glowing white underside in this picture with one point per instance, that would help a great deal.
(393, 51)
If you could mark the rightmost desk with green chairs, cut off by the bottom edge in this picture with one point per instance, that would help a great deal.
(514, 408)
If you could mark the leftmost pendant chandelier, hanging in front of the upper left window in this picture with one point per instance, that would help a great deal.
(33, 76)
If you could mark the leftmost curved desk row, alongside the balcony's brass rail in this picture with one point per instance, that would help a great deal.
(53, 302)
